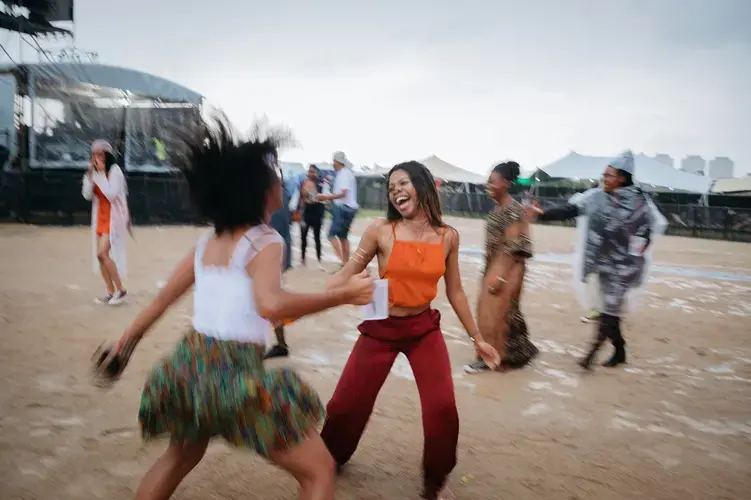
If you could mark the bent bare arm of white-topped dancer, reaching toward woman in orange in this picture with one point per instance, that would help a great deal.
(274, 302)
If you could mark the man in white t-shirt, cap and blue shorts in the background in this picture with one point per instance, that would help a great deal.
(344, 196)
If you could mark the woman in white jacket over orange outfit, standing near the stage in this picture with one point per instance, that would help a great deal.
(104, 185)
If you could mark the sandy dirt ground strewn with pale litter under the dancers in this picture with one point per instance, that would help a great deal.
(674, 424)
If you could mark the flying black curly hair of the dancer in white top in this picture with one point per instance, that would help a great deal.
(229, 179)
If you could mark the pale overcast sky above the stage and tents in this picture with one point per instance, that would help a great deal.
(473, 81)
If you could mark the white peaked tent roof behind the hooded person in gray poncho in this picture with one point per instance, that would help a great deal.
(648, 171)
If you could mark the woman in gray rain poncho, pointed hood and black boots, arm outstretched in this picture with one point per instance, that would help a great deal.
(621, 222)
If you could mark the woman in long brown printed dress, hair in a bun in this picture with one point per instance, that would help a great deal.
(507, 248)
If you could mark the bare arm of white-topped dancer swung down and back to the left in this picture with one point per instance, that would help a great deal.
(180, 281)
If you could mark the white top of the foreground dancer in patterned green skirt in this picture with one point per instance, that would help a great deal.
(223, 305)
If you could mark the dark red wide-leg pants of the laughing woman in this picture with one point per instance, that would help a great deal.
(420, 339)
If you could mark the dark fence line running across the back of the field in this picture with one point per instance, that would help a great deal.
(54, 197)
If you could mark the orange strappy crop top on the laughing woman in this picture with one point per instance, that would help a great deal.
(414, 270)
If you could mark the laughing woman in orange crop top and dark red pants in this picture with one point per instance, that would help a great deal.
(415, 249)
